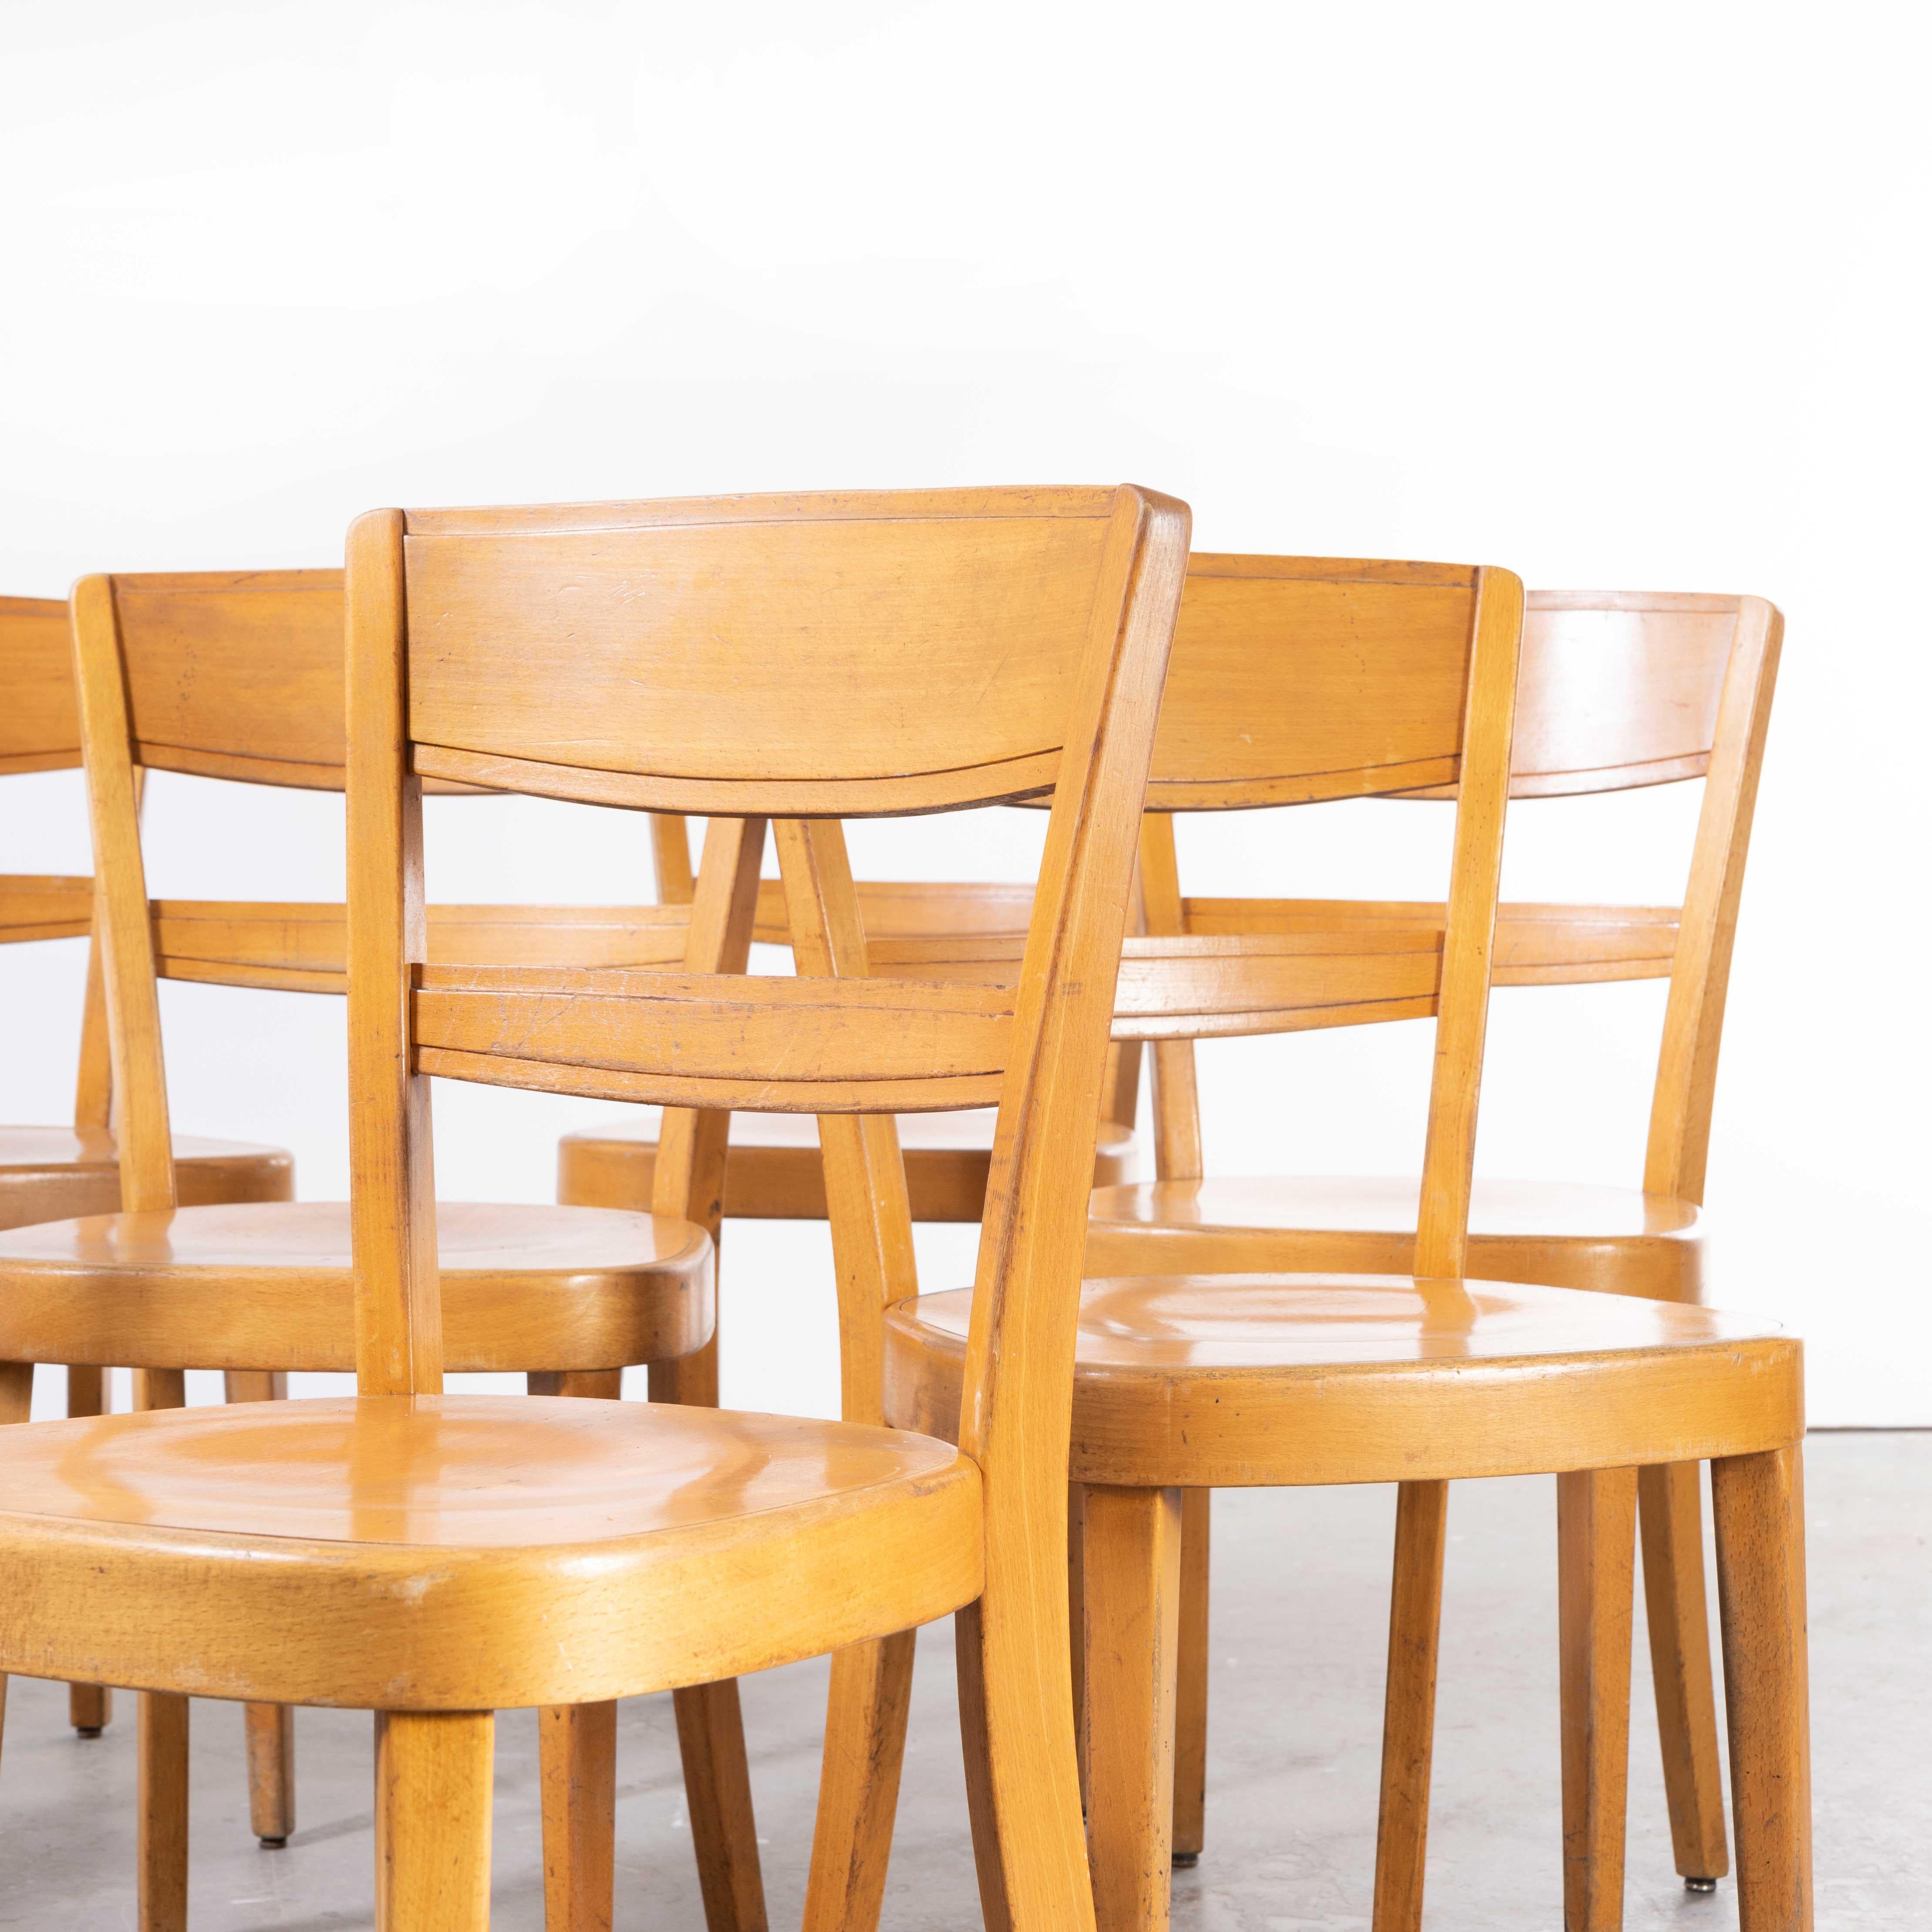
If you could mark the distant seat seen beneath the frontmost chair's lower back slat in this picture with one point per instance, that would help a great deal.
(776, 1174)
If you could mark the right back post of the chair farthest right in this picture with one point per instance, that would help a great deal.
(1701, 969)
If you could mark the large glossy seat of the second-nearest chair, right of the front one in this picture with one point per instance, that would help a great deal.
(1232, 1380)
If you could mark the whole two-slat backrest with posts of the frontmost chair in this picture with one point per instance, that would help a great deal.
(791, 660)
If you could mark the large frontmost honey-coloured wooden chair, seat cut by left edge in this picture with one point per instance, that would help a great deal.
(438, 1558)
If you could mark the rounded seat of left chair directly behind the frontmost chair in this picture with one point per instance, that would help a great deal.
(268, 1286)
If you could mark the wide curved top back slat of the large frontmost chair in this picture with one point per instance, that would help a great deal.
(731, 656)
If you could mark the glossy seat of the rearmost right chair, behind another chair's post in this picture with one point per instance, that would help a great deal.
(1618, 1241)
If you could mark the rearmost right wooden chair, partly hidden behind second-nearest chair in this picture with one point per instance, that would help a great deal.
(1618, 691)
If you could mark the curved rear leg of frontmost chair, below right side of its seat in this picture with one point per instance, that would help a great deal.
(1023, 1786)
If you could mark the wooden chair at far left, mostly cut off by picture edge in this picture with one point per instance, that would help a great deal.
(49, 1174)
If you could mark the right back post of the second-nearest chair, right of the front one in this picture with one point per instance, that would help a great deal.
(1469, 930)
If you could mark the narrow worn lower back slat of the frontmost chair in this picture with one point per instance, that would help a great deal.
(714, 1040)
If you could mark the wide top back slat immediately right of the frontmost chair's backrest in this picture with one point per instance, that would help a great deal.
(1303, 679)
